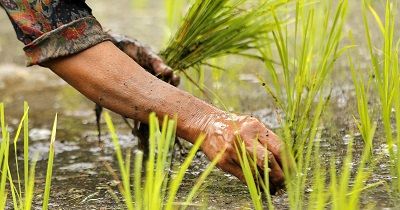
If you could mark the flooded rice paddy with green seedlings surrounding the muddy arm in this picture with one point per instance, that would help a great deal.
(324, 75)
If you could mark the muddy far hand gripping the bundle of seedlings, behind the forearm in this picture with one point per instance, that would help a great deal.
(146, 58)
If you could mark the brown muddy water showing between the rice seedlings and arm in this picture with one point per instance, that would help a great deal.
(81, 180)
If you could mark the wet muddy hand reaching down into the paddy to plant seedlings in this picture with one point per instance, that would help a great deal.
(223, 131)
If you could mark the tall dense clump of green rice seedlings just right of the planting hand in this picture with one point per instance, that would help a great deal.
(307, 52)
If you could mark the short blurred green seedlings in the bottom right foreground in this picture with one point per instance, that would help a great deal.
(341, 190)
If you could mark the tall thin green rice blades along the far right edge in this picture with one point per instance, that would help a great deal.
(386, 71)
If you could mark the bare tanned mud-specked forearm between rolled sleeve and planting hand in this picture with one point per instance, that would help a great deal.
(110, 78)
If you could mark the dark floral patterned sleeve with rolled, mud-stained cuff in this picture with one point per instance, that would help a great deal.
(53, 28)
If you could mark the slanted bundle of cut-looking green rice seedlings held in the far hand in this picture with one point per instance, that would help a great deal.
(214, 28)
